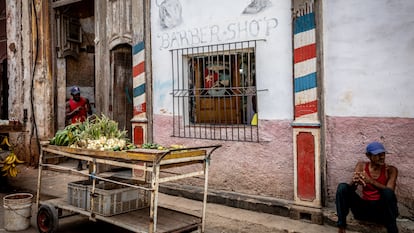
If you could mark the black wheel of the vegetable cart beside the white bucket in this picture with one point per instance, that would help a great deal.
(47, 219)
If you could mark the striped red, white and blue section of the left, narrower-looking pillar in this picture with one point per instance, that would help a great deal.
(138, 72)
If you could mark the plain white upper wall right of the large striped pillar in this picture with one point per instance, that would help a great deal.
(369, 55)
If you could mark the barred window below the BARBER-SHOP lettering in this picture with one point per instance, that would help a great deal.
(214, 92)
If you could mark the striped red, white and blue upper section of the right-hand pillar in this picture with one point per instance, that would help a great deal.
(305, 83)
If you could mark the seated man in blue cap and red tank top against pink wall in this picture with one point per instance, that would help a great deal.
(378, 202)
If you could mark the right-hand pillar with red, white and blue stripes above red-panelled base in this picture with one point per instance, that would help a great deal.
(306, 125)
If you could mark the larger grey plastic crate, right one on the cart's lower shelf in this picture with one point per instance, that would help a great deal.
(111, 199)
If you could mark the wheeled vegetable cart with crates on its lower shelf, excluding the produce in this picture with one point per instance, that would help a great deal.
(147, 216)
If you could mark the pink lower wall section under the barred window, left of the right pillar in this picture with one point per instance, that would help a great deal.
(264, 168)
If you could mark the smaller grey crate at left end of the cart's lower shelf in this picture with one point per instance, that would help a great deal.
(78, 193)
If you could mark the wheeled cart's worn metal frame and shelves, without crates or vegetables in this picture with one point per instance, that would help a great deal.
(147, 160)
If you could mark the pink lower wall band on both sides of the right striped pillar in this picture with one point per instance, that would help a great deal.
(266, 168)
